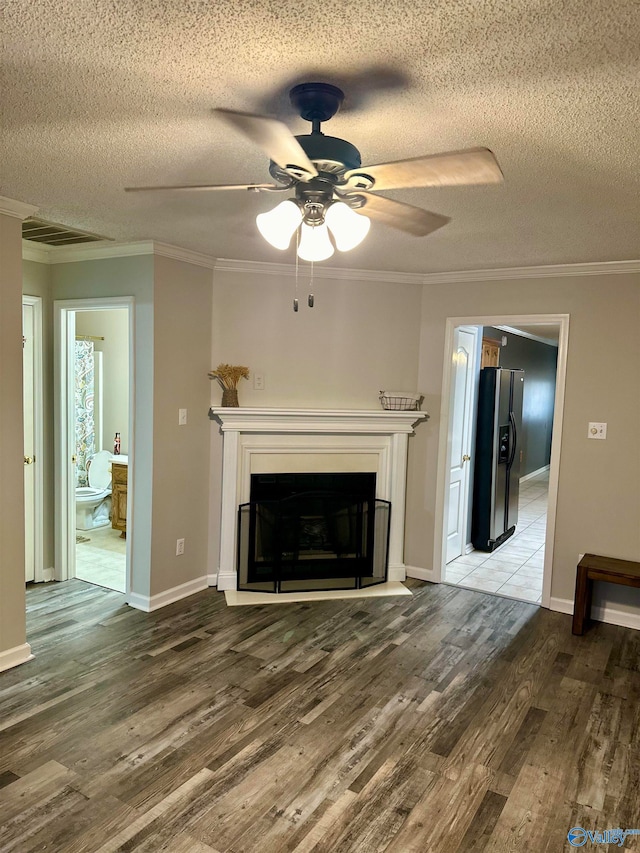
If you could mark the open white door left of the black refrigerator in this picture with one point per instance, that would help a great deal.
(460, 433)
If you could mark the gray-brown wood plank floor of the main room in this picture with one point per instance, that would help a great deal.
(450, 721)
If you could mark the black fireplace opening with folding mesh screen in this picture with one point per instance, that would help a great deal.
(312, 531)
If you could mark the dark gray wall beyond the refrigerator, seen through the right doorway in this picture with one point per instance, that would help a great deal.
(539, 362)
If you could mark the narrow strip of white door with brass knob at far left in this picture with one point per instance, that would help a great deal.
(28, 398)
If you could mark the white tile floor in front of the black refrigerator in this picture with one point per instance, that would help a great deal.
(515, 568)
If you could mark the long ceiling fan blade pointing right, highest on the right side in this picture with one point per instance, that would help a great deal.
(474, 166)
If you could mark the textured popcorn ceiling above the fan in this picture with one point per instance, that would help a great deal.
(100, 95)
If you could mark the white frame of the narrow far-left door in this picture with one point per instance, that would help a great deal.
(35, 302)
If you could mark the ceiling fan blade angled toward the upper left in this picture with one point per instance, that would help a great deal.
(275, 138)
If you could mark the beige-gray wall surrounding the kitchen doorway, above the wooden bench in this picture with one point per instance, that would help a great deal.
(598, 506)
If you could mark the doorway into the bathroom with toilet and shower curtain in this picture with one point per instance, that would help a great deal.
(94, 437)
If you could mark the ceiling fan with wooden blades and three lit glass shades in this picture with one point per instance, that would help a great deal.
(332, 190)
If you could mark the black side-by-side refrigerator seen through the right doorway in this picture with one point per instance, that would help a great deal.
(496, 482)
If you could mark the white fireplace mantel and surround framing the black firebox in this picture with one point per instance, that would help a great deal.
(313, 441)
